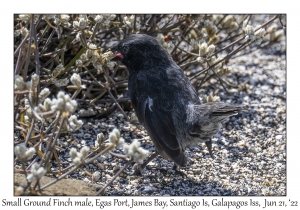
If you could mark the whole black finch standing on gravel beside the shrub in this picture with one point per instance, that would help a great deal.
(165, 101)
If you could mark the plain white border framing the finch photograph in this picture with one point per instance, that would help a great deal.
(153, 6)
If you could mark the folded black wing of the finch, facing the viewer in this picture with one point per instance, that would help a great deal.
(156, 115)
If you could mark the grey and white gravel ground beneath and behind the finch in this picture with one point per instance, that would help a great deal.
(250, 149)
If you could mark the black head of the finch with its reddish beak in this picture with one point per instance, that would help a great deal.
(140, 50)
